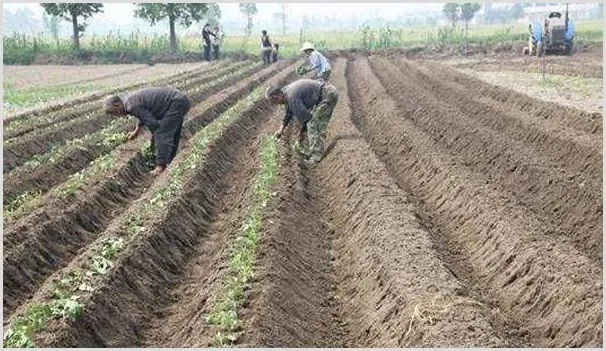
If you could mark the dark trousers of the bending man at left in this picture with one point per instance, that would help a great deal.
(168, 135)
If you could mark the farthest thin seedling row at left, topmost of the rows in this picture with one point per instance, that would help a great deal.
(76, 103)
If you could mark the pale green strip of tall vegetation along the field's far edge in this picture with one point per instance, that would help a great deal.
(136, 47)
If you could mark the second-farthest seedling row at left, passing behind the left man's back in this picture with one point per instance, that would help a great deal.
(20, 127)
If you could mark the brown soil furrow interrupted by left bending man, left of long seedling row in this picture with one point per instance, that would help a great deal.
(92, 209)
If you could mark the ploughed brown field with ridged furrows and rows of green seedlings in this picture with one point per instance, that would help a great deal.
(447, 212)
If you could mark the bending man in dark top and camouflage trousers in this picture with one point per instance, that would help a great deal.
(312, 102)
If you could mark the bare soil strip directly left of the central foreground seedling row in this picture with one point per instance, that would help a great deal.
(180, 321)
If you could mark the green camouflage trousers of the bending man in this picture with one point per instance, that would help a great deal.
(316, 127)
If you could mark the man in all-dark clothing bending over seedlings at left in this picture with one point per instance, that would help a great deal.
(162, 111)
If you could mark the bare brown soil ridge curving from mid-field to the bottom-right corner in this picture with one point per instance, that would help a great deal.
(545, 285)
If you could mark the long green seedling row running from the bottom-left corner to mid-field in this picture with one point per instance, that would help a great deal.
(68, 294)
